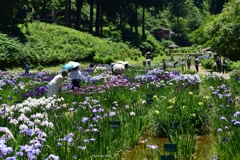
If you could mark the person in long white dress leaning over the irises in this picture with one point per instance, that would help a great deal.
(54, 86)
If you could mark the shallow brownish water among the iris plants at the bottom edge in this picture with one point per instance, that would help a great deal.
(142, 152)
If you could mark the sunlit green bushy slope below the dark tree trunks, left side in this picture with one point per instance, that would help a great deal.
(50, 45)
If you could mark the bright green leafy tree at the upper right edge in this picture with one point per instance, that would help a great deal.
(221, 32)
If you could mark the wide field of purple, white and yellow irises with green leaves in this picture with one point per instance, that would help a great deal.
(110, 115)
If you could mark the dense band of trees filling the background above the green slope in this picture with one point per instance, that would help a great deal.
(137, 16)
